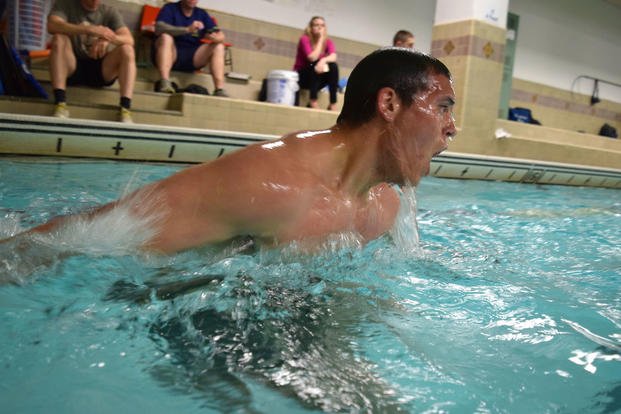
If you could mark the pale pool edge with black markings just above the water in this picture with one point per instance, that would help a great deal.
(49, 136)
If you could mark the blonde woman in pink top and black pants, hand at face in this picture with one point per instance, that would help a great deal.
(315, 62)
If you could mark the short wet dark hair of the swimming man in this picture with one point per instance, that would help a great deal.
(404, 70)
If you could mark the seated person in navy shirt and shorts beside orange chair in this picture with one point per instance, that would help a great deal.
(179, 28)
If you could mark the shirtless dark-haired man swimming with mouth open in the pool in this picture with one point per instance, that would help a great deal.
(306, 186)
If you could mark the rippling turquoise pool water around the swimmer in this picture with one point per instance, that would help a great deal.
(512, 304)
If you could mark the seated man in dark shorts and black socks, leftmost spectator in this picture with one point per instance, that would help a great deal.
(91, 45)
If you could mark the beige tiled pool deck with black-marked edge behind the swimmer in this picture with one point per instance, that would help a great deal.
(188, 128)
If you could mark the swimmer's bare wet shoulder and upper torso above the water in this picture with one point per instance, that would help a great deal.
(276, 192)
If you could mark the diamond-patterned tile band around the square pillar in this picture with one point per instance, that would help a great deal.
(468, 45)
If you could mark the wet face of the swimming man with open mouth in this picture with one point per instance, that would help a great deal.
(422, 130)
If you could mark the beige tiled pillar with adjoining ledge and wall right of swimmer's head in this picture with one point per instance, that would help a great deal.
(473, 51)
